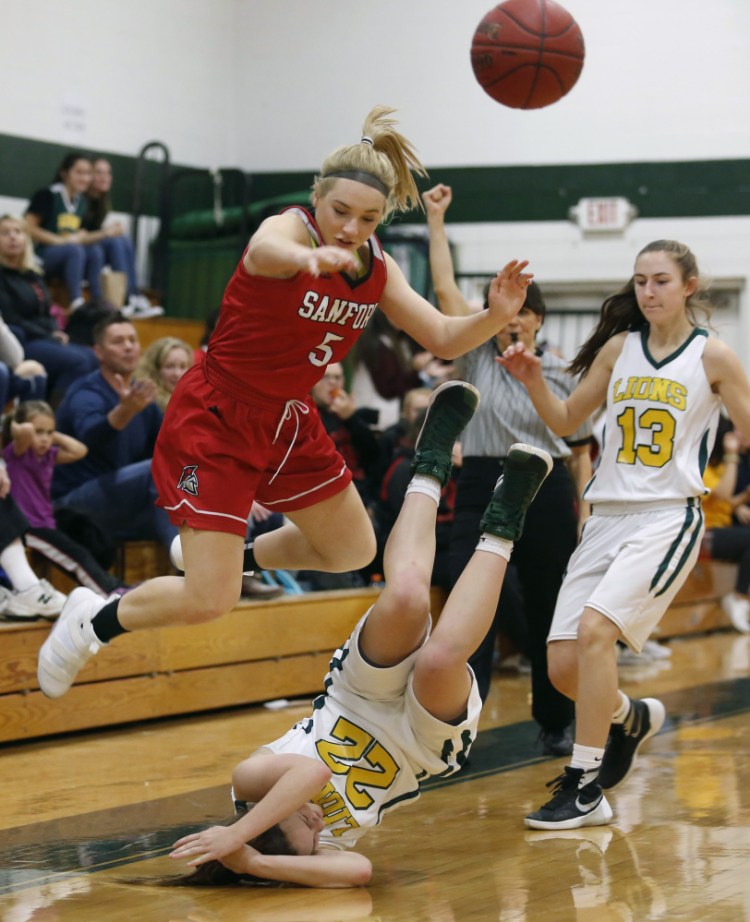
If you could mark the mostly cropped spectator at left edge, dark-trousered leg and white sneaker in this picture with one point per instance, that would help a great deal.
(26, 597)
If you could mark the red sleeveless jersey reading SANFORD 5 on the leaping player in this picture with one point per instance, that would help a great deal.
(275, 337)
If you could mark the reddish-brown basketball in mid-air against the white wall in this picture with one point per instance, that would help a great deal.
(527, 54)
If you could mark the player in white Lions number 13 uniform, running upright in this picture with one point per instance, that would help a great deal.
(663, 379)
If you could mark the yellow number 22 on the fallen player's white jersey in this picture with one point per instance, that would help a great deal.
(357, 744)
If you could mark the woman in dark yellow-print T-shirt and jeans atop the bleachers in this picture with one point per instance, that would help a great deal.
(55, 218)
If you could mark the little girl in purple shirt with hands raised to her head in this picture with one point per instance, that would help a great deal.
(31, 452)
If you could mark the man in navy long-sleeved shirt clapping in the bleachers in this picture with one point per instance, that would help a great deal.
(117, 419)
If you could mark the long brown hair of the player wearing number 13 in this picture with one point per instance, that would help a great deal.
(620, 312)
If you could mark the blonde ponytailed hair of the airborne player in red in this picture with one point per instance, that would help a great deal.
(384, 154)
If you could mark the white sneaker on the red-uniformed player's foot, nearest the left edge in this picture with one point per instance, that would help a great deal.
(71, 643)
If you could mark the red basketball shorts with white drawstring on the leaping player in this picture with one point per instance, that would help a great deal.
(216, 454)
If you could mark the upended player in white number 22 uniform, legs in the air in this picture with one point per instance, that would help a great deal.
(400, 701)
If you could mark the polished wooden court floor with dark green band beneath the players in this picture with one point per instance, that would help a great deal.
(81, 814)
